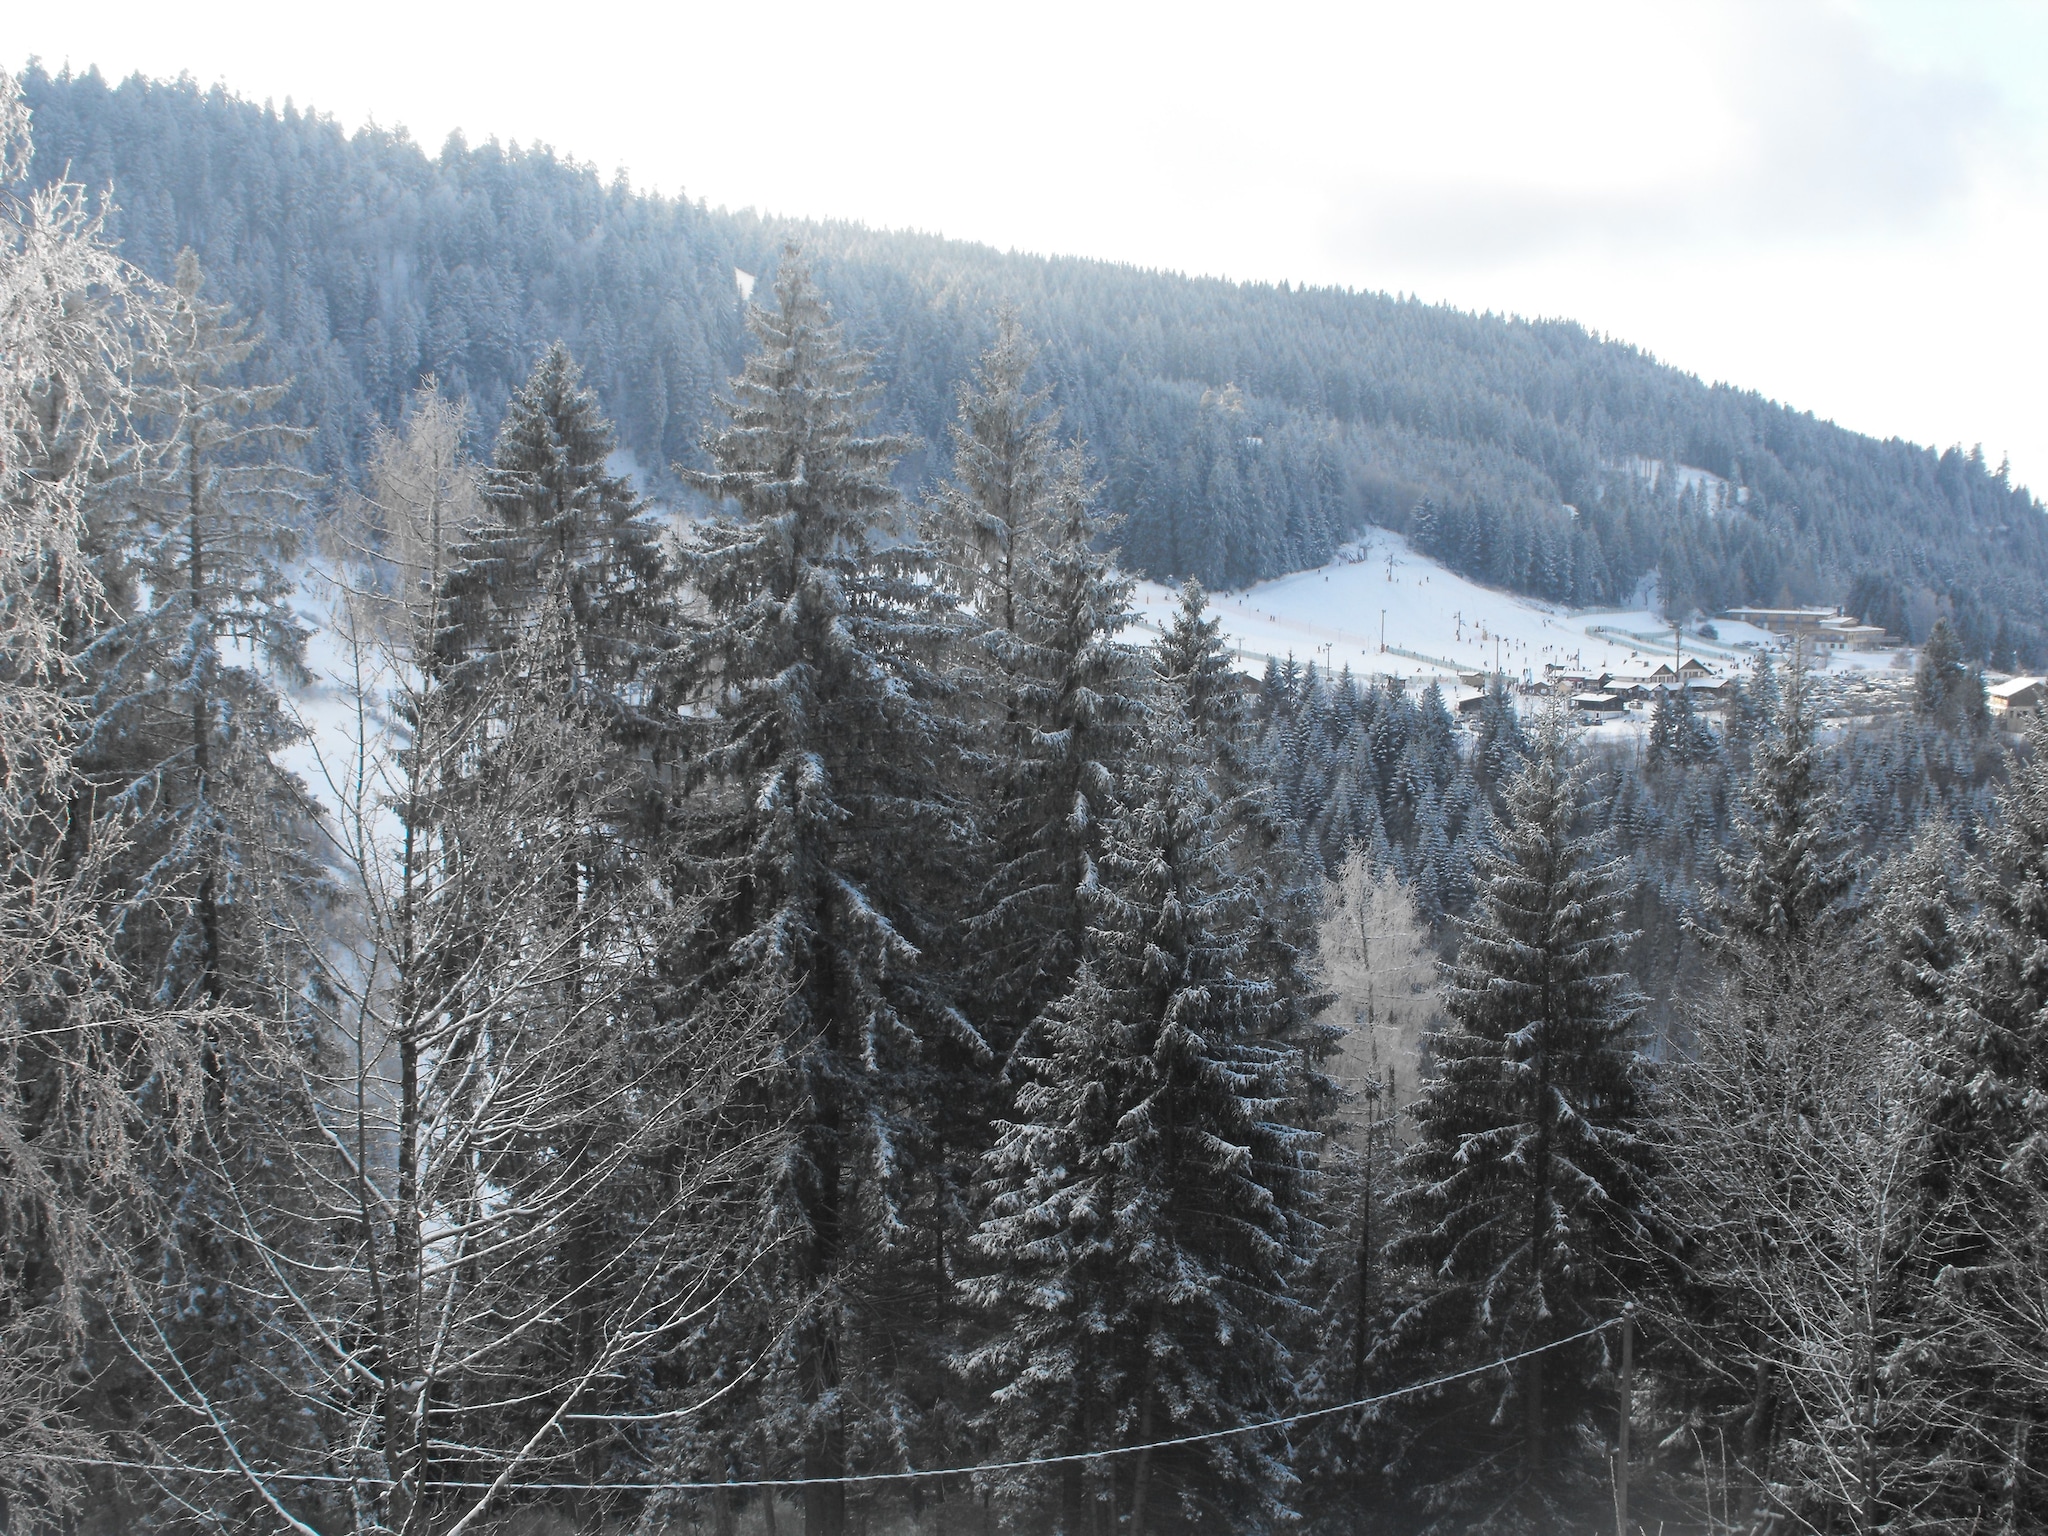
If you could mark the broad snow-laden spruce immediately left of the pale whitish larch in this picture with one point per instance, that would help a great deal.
(1152, 1205)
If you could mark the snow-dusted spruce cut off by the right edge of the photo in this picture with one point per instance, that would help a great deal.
(1983, 1285)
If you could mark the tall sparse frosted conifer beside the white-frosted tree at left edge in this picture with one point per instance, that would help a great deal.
(216, 892)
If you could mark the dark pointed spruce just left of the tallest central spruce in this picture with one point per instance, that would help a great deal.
(562, 593)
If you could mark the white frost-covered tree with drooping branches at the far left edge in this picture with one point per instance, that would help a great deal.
(77, 1199)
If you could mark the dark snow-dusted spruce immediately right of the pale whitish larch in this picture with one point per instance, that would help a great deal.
(1527, 1183)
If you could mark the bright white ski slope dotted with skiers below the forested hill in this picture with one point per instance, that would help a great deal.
(1439, 624)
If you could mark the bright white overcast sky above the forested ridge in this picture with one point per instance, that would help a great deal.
(1838, 202)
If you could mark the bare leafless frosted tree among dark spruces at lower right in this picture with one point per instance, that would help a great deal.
(1791, 1183)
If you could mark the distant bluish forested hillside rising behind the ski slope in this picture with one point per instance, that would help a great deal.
(1242, 429)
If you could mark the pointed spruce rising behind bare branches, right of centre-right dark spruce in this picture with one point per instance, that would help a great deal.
(1789, 1011)
